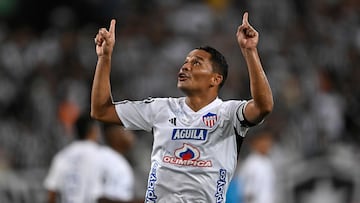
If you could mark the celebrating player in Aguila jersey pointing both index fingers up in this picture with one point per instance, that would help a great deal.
(196, 137)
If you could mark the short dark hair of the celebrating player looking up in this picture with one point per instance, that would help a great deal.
(218, 61)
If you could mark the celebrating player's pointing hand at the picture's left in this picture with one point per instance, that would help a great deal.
(105, 40)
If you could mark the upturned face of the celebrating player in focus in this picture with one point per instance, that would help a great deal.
(196, 74)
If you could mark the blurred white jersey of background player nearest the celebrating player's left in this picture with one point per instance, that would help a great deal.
(117, 176)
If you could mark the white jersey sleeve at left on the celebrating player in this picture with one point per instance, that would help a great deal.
(137, 115)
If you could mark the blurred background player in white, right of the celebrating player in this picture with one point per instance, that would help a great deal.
(257, 174)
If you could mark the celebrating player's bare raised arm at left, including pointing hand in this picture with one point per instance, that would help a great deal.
(102, 107)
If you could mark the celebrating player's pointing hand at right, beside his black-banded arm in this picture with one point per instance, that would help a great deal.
(247, 36)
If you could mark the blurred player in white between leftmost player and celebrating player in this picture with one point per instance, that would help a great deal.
(117, 179)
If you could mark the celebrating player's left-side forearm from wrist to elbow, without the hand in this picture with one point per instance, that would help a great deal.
(101, 90)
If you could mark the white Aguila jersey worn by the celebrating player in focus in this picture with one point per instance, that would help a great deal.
(194, 153)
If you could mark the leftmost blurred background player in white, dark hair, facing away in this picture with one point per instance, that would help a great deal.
(73, 174)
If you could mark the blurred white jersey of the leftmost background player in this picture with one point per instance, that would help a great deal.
(74, 172)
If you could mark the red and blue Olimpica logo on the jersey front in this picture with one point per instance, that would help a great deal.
(187, 155)
